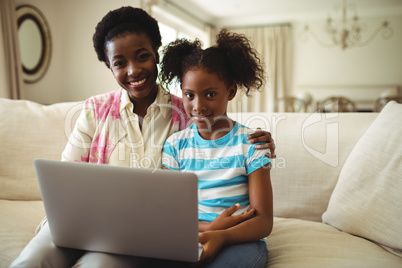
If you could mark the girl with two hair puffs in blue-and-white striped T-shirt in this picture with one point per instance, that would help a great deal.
(233, 176)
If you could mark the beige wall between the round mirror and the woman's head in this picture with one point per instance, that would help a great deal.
(74, 72)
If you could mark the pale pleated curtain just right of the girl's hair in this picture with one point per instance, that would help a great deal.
(274, 45)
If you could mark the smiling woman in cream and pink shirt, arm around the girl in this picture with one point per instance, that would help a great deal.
(125, 127)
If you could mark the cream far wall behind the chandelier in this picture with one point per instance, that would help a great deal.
(361, 73)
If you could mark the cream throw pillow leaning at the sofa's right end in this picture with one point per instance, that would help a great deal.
(368, 196)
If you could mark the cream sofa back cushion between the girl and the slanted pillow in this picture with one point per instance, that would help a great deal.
(311, 150)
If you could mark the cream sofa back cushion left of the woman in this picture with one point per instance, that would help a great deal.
(30, 130)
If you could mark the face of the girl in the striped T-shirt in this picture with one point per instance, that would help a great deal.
(205, 99)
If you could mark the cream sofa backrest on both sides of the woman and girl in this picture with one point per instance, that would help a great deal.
(311, 150)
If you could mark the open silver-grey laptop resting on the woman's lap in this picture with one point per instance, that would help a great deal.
(140, 212)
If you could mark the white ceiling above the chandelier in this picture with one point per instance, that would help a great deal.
(257, 12)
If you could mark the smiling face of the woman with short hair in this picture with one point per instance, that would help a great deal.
(133, 64)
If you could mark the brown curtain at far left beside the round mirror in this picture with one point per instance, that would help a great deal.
(11, 85)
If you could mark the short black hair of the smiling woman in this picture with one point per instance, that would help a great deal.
(121, 21)
